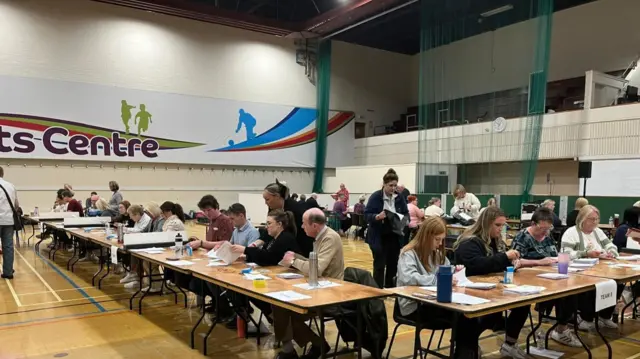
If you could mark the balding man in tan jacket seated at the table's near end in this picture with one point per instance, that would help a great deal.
(288, 325)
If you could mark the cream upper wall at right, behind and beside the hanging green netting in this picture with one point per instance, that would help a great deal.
(601, 35)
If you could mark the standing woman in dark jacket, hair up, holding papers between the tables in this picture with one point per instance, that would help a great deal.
(383, 241)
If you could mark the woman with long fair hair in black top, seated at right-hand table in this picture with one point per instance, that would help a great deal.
(482, 251)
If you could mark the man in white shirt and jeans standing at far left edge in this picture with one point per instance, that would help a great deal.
(7, 201)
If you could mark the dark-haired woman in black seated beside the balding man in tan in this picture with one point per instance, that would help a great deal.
(281, 227)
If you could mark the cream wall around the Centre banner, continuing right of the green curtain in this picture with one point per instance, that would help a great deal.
(91, 42)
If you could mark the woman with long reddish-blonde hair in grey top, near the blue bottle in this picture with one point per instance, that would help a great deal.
(417, 266)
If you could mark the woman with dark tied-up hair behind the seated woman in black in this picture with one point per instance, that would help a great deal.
(276, 196)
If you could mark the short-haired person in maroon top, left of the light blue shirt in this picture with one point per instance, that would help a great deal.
(220, 226)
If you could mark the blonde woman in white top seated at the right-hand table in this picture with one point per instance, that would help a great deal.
(586, 240)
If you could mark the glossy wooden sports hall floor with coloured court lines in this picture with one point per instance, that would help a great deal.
(48, 312)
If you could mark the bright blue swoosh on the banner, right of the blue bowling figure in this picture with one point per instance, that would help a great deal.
(296, 121)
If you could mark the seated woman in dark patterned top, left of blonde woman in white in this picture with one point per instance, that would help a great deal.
(537, 248)
